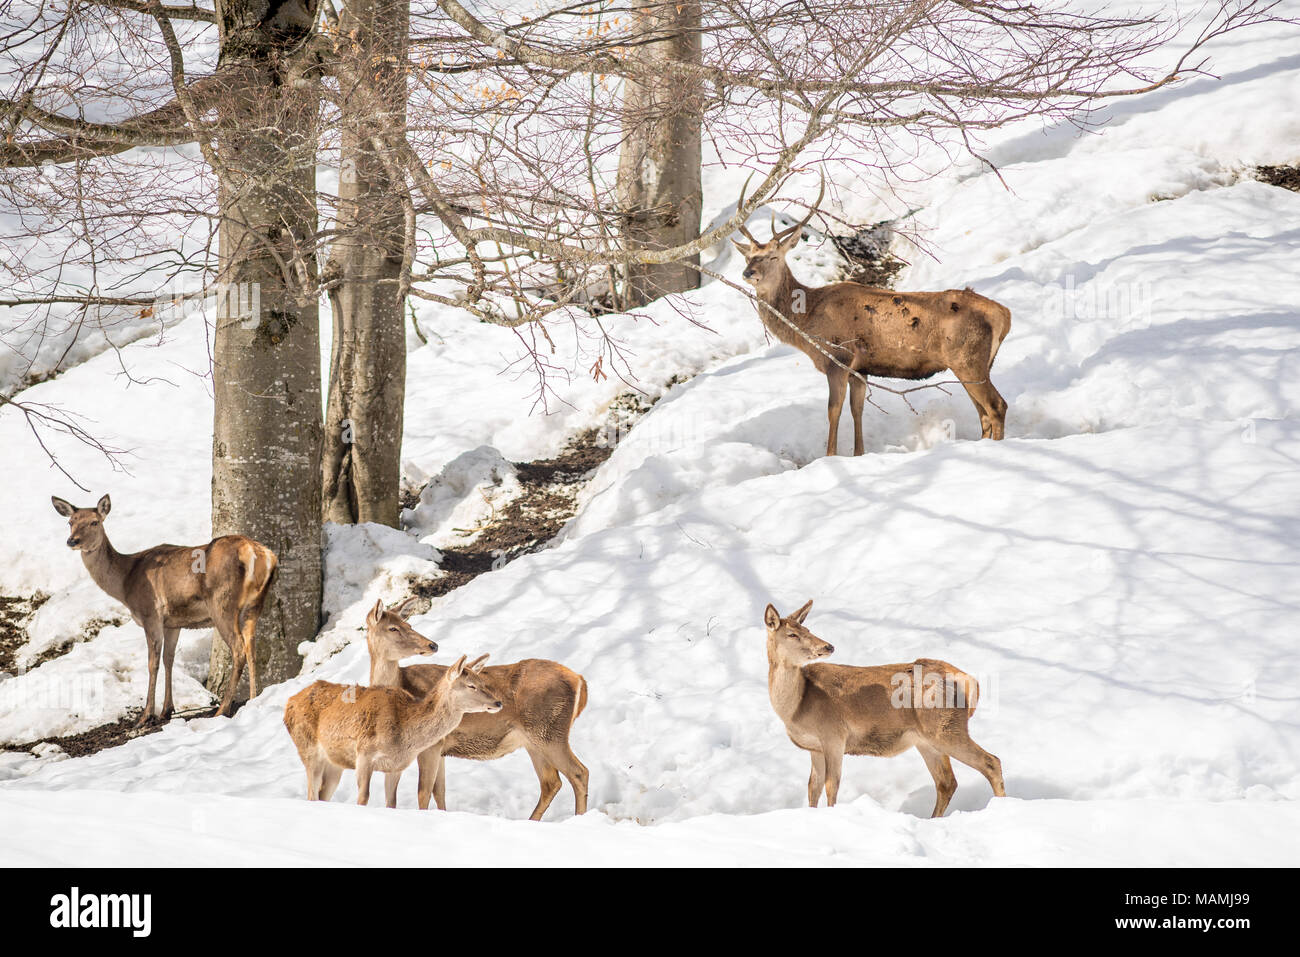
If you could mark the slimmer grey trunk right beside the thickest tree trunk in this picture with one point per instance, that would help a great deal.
(362, 461)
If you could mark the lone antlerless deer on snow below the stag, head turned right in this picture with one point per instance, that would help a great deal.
(831, 711)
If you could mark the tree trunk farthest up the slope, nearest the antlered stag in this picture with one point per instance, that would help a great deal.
(660, 188)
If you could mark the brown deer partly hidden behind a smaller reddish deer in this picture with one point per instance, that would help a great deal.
(543, 700)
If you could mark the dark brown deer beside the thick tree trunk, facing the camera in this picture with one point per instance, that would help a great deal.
(220, 586)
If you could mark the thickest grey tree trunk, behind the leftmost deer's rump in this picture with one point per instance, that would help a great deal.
(267, 423)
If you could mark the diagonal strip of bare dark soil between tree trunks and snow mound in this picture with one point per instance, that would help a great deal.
(530, 521)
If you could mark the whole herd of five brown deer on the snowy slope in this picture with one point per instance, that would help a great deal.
(426, 713)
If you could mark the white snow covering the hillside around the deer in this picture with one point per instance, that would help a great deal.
(1120, 573)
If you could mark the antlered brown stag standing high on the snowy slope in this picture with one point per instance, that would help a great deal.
(877, 332)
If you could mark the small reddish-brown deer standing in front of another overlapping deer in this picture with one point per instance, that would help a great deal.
(337, 726)
